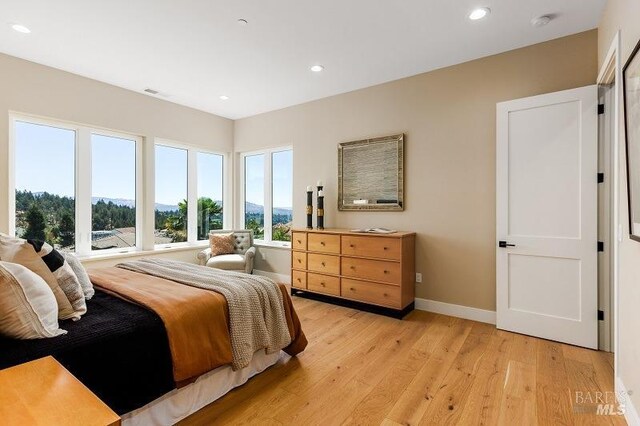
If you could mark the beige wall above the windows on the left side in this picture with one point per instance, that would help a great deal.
(34, 89)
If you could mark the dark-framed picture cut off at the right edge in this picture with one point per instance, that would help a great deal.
(631, 97)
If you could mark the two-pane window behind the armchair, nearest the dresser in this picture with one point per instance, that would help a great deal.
(268, 194)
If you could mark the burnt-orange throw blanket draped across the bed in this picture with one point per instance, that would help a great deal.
(196, 320)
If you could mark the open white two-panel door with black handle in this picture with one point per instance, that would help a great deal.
(546, 178)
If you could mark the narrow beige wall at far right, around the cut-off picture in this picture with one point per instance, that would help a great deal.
(624, 15)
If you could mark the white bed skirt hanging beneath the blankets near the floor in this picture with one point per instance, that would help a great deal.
(180, 403)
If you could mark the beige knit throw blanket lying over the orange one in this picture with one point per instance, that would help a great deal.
(256, 312)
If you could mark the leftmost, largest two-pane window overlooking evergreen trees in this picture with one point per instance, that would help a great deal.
(74, 187)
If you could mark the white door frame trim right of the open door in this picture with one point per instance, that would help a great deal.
(611, 72)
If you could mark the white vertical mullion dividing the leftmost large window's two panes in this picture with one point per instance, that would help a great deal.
(83, 191)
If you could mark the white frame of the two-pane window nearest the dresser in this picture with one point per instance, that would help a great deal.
(268, 193)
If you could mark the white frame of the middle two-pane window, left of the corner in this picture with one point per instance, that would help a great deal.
(192, 192)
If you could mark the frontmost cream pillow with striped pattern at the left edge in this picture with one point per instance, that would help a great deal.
(28, 308)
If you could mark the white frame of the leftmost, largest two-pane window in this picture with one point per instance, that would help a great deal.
(82, 177)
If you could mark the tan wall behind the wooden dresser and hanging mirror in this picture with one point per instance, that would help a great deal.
(448, 117)
